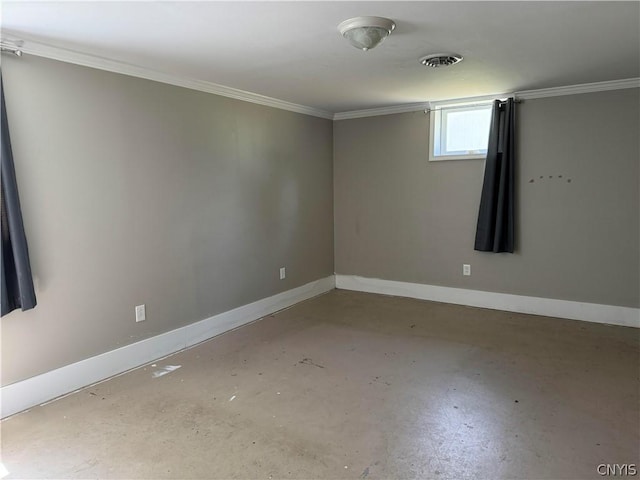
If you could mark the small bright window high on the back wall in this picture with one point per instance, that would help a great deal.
(459, 132)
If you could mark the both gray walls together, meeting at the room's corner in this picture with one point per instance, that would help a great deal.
(139, 192)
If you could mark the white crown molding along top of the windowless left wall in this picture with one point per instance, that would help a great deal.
(40, 49)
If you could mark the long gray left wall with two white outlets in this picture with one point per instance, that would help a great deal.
(138, 192)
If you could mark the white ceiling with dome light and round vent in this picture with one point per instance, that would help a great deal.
(292, 51)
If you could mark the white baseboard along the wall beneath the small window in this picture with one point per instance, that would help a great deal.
(548, 307)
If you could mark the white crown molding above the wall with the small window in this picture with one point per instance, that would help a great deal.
(522, 95)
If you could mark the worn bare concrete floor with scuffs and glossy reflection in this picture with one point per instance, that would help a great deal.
(354, 385)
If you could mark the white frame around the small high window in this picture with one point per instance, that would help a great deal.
(436, 114)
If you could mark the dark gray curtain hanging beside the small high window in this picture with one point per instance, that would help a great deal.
(495, 230)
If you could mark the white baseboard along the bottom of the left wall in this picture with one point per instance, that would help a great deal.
(34, 391)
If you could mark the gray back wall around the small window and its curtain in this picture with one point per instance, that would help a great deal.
(400, 217)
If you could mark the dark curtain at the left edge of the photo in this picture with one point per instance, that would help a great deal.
(17, 283)
